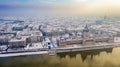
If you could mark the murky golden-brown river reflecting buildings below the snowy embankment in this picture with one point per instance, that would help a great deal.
(95, 58)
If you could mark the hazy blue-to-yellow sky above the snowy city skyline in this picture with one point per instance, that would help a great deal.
(111, 7)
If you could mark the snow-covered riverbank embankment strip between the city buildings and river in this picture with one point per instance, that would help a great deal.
(60, 50)
